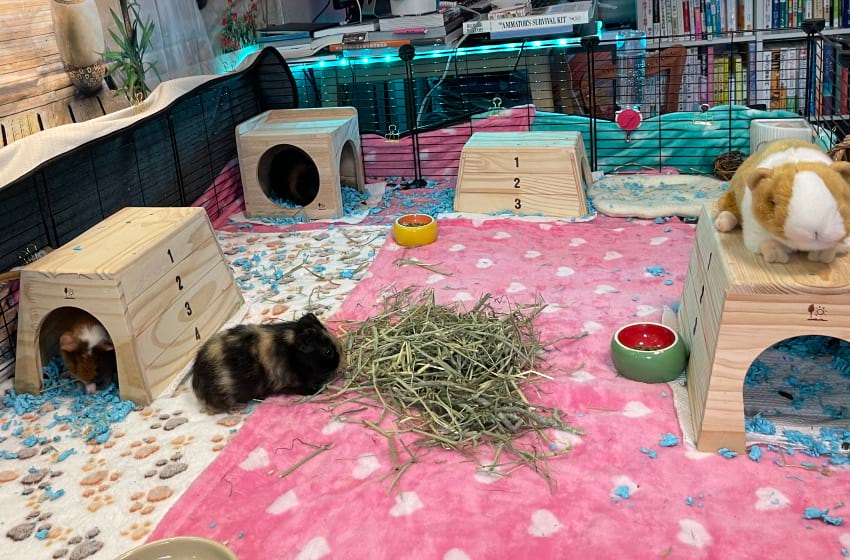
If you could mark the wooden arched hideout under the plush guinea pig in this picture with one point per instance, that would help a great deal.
(735, 306)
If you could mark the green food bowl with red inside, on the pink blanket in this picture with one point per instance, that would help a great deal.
(648, 352)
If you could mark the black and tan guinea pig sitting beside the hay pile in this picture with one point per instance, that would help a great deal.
(249, 362)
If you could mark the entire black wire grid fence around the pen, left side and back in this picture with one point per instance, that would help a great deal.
(695, 101)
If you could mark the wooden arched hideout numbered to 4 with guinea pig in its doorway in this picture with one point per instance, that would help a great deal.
(154, 277)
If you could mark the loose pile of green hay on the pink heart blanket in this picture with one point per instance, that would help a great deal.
(454, 378)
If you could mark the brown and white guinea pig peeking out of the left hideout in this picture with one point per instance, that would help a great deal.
(87, 350)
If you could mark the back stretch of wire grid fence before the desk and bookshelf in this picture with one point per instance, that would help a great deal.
(695, 98)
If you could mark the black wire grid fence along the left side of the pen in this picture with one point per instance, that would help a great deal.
(181, 155)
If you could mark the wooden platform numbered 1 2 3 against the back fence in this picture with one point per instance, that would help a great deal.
(525, 173)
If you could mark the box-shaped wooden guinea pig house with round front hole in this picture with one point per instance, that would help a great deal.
(293, 161)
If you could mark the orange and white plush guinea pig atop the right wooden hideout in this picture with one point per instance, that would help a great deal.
(789, 196)
